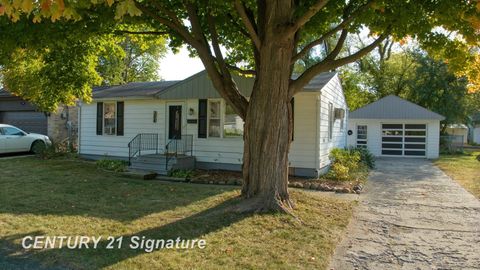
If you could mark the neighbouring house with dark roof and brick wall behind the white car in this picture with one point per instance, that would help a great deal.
(18, 112)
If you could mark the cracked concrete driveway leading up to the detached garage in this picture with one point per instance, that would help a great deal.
(412, 216)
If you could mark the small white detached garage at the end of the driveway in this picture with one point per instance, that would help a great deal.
(395, 127)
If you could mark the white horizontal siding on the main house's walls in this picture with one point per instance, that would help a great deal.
(139, 119)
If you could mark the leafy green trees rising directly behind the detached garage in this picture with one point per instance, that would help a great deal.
(413, 75)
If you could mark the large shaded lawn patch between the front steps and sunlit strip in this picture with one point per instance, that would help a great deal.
(74, 188)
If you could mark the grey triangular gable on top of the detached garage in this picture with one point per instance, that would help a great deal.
(393, 107)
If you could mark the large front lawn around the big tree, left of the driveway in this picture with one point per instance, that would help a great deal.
(62, 197)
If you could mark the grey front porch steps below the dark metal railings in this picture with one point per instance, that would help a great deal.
(157, 163)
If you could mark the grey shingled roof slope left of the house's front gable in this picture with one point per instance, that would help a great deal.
(135, 89)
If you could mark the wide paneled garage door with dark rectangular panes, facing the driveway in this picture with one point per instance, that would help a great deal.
(407, 140)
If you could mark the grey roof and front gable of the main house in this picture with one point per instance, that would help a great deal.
(197, 85)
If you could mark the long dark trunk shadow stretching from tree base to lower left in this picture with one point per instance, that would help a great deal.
(192, 227)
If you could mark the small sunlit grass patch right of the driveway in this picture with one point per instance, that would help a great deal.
(464, 169)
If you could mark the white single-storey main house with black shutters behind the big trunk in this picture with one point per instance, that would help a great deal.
(191, 117)
